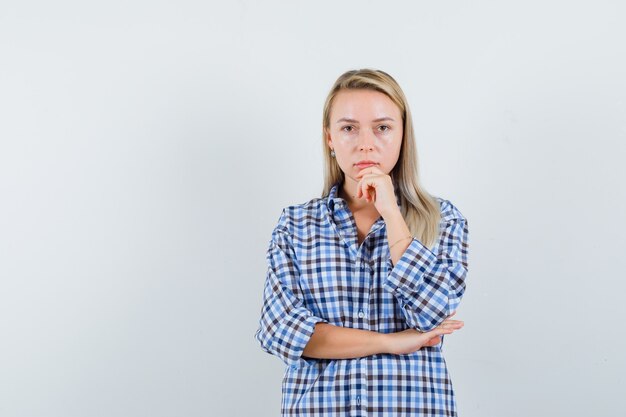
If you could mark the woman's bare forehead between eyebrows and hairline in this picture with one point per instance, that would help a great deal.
(363, 104)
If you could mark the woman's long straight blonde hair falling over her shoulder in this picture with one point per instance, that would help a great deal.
(420, 210)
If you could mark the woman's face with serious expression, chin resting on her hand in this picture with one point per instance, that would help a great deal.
(364, 125)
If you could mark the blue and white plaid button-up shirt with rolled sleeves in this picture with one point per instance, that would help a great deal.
(318, 273)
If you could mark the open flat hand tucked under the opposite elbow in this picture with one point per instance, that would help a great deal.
(411, 340)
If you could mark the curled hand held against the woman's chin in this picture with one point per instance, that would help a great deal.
(376, 187)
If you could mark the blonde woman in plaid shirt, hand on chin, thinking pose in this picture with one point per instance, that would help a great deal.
(362, 282)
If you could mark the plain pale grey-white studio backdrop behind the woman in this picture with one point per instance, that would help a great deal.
(148, 148)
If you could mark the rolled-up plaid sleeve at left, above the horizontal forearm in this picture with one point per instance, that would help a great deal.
(286, 324)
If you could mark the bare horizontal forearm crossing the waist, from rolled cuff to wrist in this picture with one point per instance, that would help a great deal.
(335, 342)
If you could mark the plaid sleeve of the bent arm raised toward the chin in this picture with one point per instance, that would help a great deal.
(429, 286)
